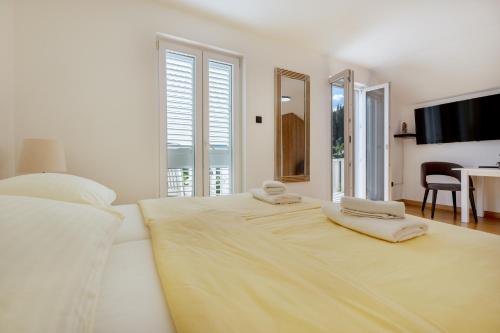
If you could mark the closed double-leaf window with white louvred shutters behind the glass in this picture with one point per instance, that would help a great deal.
(199, 121)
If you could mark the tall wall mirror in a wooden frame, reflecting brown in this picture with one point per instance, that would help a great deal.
(292, 126)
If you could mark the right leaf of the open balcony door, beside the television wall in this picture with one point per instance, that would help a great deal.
(371, 134)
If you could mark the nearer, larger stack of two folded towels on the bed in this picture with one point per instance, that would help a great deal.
(381, 219)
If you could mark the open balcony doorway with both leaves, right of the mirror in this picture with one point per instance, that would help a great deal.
(359, 139)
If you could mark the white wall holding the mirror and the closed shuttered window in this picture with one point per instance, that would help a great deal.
(86, 74)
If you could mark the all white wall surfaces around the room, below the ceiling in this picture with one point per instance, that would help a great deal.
(85, 73)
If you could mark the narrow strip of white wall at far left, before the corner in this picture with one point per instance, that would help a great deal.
(6, 89)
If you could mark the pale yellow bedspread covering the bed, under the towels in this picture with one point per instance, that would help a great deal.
(232, 265)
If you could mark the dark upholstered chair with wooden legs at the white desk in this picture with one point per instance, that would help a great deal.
(444, 169)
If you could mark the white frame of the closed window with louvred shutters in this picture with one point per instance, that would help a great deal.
(202, 55)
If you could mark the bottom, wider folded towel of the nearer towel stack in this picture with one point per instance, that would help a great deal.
(392, 231)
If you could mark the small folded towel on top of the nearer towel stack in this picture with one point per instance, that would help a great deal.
(374, 209)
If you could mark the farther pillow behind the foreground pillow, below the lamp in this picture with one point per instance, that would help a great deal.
(57, 186)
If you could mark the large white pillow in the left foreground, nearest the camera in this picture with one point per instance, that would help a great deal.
(52, 259)
